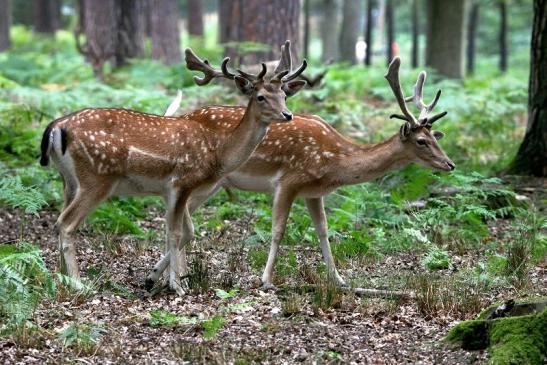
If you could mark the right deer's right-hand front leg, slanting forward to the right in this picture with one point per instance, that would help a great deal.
(319, 218)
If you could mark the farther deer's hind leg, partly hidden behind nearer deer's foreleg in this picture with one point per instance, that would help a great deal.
(196, 199)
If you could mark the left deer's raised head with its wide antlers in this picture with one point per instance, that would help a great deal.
(266, 97)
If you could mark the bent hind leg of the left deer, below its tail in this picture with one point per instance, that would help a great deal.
(83, 203)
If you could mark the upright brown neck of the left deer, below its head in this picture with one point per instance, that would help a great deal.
(240, 143)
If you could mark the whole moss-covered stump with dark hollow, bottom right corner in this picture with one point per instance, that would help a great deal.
(513, 340)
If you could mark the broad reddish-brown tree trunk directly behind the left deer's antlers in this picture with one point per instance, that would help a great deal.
(267, 22)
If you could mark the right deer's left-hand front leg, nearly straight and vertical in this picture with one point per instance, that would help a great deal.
(280, 213)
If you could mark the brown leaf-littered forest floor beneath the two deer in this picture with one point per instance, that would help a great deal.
(287, 326)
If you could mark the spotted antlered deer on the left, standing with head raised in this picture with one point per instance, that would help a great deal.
(106, 152)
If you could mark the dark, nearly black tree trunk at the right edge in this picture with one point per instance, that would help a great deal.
(531, 158)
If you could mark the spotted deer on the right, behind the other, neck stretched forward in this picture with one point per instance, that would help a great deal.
(310, 159)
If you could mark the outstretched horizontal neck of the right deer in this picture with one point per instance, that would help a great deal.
(368, 162)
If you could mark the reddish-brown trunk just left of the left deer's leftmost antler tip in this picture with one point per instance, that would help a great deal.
(164, 22)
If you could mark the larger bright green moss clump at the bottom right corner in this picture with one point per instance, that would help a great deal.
(519, 340)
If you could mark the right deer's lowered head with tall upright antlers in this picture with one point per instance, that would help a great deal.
(416, 134)
